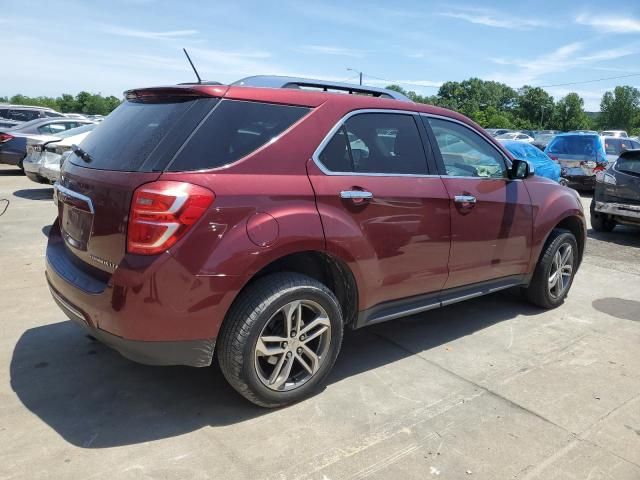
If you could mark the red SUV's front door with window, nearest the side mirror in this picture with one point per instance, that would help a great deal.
(491, 215)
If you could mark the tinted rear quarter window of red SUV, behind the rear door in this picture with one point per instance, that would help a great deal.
(233, 130)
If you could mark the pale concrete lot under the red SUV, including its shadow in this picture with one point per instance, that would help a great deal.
(487, 389)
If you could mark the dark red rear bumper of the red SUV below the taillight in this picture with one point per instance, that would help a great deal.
(155, 311)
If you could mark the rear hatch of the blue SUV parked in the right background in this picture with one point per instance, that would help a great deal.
(578, 155)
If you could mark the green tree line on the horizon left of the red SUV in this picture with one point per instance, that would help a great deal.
(83, 102)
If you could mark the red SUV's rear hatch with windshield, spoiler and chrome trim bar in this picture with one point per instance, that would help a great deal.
(131, 147)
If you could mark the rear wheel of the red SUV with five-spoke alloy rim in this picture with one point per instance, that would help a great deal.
(259, 313)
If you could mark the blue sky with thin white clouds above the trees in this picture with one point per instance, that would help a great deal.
(72, 45)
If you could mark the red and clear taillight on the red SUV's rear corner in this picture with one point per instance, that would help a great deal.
(162, 212)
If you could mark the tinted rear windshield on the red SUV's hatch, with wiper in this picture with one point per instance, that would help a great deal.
(143, 136)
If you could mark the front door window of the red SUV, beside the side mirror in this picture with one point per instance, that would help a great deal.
(465, 153)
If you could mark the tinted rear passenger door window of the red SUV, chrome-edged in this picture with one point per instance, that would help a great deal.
(386, 143)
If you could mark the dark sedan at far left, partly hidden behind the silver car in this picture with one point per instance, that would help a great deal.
(13, 141)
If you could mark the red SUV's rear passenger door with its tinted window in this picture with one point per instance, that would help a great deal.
(379, 206)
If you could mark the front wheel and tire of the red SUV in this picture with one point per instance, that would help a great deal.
(541, 291)
